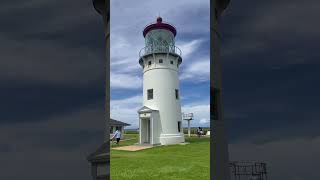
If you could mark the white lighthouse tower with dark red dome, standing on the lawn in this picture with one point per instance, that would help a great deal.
(160, 118)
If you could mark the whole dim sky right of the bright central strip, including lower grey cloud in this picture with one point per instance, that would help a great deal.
(271, 72)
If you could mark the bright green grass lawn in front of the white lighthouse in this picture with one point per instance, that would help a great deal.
(190, 161)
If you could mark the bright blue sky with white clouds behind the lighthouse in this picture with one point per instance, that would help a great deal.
(192, 20)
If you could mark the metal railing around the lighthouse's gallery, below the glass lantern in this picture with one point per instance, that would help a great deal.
(160, 49)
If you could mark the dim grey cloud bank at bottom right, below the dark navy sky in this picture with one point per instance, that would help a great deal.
(286, 159)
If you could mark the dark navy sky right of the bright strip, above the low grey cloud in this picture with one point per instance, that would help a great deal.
(270, 66)
